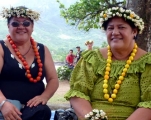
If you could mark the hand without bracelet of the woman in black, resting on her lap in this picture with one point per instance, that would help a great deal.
(36, 101)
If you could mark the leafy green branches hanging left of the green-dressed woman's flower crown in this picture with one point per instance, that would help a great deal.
(85, 14)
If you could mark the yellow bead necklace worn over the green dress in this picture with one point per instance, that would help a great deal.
(121, 77)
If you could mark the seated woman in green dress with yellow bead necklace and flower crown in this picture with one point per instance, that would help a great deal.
(115, 79)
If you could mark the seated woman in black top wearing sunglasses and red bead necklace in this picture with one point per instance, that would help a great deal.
(23, 65)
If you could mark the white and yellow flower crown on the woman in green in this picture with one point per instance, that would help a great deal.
(121, 12)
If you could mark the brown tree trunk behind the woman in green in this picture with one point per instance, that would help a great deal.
(143, 9)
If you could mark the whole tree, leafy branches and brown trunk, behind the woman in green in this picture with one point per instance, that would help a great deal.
(85, 15)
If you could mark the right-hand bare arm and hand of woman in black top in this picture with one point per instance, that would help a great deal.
(51, 79)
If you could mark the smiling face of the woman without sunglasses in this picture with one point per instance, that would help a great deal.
(119, 33)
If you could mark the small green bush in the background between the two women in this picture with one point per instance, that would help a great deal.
(64, 73)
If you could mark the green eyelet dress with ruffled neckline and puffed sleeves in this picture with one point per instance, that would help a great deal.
(135, 91)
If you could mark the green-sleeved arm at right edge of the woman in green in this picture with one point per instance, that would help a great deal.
(144, 106)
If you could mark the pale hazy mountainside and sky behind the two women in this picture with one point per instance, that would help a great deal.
(52, 29)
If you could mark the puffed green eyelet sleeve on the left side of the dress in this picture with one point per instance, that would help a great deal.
(82, 78)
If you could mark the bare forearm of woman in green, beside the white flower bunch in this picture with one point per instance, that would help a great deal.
(80, 106)
